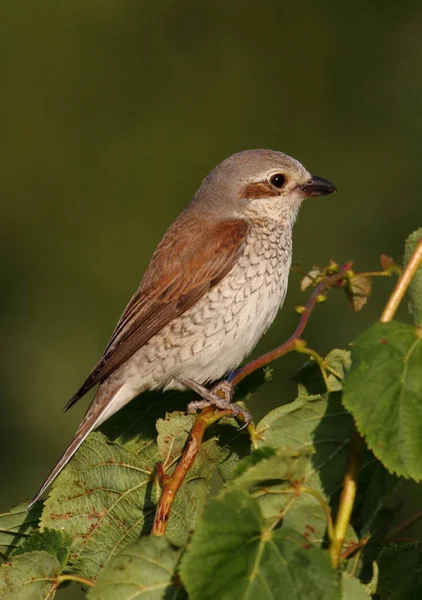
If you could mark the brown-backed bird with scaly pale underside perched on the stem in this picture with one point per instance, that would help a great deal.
(212, 288)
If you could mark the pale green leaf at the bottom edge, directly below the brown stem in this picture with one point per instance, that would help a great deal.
(145, 569)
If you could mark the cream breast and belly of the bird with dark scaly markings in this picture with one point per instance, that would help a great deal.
(215, 335)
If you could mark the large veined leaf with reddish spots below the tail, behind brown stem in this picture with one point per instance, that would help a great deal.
(106, 498)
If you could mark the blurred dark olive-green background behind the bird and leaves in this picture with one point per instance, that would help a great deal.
(111, 114)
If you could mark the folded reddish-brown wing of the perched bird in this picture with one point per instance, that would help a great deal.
(183, 268)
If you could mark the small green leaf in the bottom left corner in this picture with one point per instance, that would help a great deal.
(30, 576)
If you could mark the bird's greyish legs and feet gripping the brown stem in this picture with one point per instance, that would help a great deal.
(219, 396)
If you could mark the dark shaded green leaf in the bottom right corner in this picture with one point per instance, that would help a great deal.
(400, 568)
